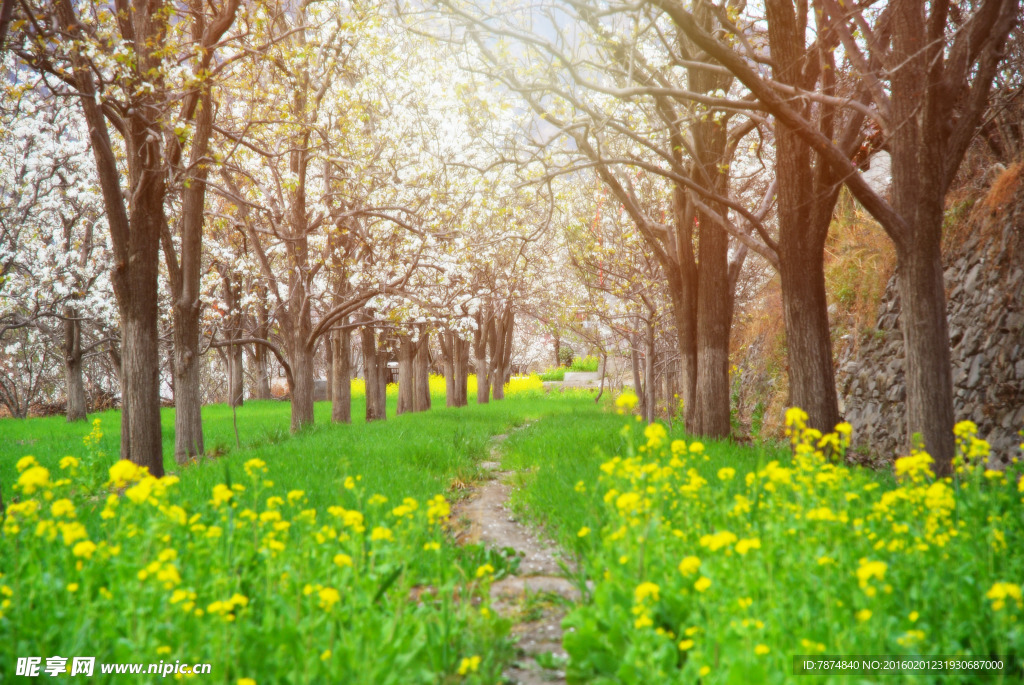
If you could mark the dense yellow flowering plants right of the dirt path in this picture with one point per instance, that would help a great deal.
(840, 544)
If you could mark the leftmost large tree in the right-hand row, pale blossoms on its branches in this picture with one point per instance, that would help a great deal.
(634, 118)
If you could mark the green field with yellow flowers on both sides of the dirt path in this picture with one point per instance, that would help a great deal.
(289, 559)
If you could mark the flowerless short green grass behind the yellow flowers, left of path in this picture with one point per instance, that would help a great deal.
(415, 455)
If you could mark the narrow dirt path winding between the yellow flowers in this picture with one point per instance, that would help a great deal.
(532, 597)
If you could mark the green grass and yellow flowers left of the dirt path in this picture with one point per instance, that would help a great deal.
(58, 597)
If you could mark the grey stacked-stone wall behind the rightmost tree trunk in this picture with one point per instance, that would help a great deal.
(985, 281)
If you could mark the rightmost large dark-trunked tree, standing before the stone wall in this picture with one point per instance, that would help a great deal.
(928, 72)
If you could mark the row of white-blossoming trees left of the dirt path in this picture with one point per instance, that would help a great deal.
(272, 177)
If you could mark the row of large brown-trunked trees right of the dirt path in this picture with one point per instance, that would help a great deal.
(726, 130)
